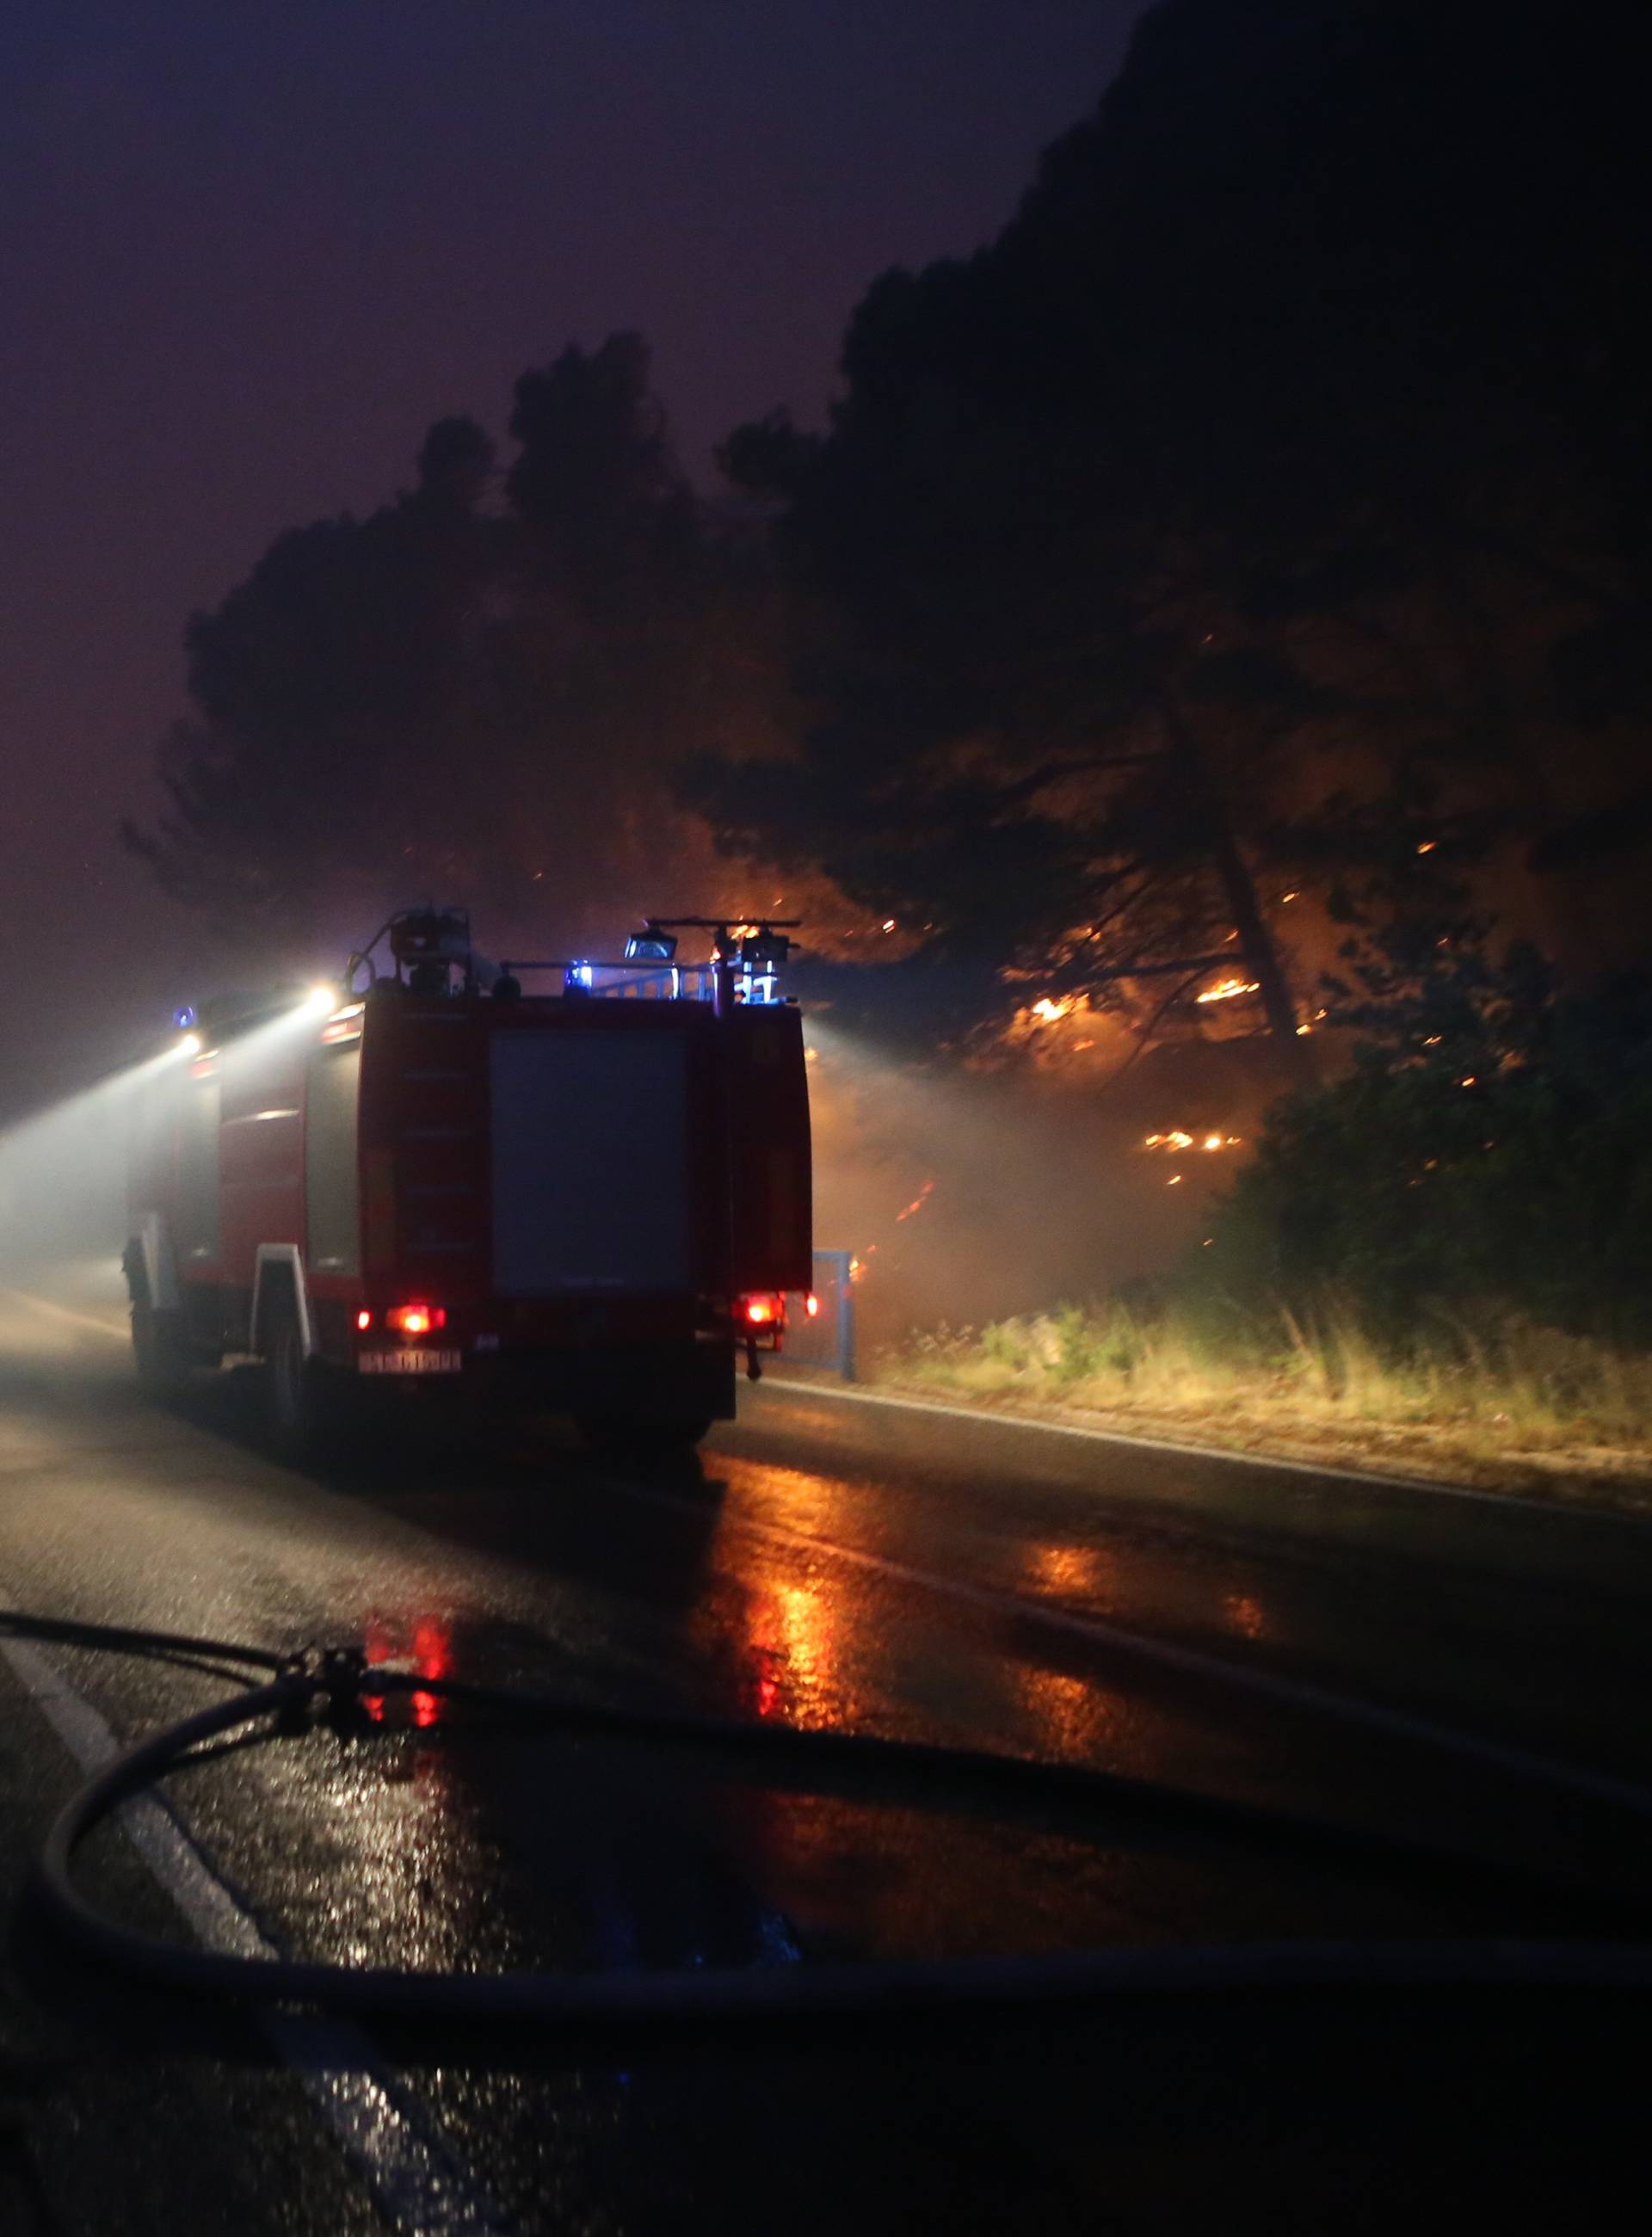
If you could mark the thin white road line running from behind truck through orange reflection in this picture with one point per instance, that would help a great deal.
(1295, 1692)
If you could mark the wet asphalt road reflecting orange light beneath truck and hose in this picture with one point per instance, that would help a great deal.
(1470, 1674)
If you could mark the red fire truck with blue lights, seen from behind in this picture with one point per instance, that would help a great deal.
(592, 1198)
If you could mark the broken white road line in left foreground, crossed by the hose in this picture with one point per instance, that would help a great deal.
(393, 2142)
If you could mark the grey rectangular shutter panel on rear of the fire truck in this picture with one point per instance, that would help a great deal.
(590, 1162)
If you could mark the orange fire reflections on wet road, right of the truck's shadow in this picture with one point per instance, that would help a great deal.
(1035, 1663)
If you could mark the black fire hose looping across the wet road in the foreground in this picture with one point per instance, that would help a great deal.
(297, 1692)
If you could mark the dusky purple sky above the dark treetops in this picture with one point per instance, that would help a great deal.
(247, 254)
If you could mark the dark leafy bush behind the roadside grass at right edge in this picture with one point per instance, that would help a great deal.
(1490, 1155)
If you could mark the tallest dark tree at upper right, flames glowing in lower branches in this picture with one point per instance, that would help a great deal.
(1235, 527)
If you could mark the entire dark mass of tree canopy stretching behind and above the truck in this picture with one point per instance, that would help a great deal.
(1243, 551)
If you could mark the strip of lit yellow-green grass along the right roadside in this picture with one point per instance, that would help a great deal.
(1501, 1404)
